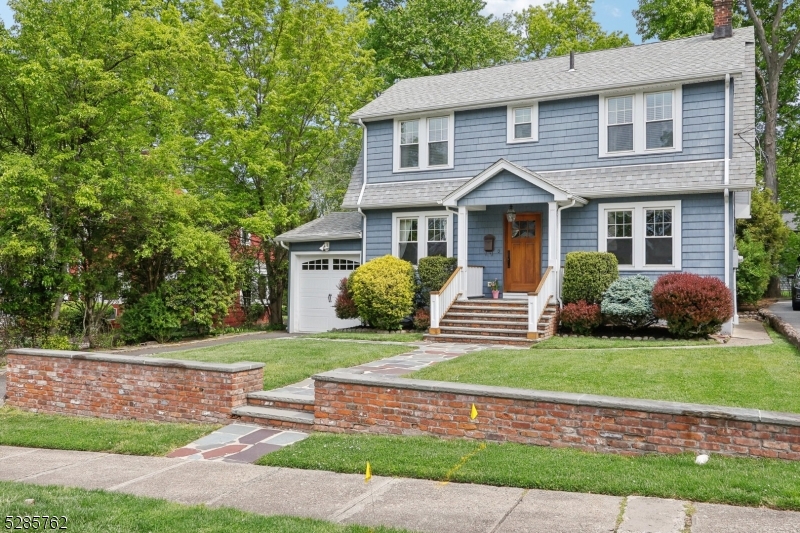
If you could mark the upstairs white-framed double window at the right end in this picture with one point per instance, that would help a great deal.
(640, 123)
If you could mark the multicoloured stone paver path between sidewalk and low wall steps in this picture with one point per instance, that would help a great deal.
(238, 443)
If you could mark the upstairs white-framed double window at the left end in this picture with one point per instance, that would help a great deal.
(424, 143)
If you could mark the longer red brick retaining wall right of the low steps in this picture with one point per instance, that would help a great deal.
(348, 403)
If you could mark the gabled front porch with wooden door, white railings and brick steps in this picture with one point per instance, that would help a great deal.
(509, 231)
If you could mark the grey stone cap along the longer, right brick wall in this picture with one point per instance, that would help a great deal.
(589, 400)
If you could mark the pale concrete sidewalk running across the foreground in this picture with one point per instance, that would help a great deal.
(415, 505)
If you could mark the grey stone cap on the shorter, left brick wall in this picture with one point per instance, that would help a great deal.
(138, 360)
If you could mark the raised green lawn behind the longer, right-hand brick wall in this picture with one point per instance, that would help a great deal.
(759, 377)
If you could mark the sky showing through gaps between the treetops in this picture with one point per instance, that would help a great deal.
(612, 14)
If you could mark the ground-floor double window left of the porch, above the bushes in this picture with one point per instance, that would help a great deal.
(418, 235)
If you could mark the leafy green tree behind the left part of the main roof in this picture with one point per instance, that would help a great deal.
(414, 38)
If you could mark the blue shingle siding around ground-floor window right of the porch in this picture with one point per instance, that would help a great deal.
(702, 226)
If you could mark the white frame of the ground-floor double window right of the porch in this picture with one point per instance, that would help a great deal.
(638, 218)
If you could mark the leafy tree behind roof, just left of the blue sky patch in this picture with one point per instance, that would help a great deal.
(558, 28)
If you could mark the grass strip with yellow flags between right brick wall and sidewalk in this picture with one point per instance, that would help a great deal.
(752, 482)
